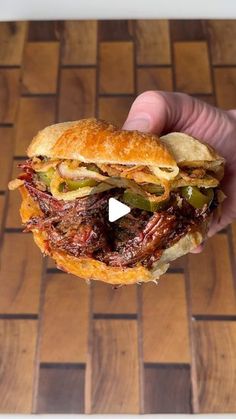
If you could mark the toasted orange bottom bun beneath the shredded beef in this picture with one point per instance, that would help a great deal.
(88, 268)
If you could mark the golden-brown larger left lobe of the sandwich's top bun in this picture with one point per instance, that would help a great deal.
(92, 140)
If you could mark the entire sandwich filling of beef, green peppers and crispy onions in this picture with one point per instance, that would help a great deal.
(73, 198)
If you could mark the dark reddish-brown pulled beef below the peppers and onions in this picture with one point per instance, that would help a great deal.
(81, 227)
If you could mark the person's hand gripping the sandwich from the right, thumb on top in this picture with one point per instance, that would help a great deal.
(162, 112)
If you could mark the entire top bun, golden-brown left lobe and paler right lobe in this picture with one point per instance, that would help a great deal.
(96, 141)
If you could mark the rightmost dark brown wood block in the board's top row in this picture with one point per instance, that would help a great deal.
(187, 30)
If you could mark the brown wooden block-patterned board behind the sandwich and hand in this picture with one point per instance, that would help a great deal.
(69, 347)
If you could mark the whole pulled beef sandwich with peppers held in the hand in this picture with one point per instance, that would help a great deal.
(171, 184)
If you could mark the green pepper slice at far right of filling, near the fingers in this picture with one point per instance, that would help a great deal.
(197, 198)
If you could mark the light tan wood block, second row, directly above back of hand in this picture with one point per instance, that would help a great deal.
(192, 67)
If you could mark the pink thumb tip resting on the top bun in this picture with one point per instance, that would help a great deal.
(149, 113)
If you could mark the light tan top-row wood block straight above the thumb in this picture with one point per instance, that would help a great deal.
(153, 42)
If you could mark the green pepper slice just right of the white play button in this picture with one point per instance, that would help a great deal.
(138, 201)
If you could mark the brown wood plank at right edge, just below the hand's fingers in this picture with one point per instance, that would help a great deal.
(211, 279)
